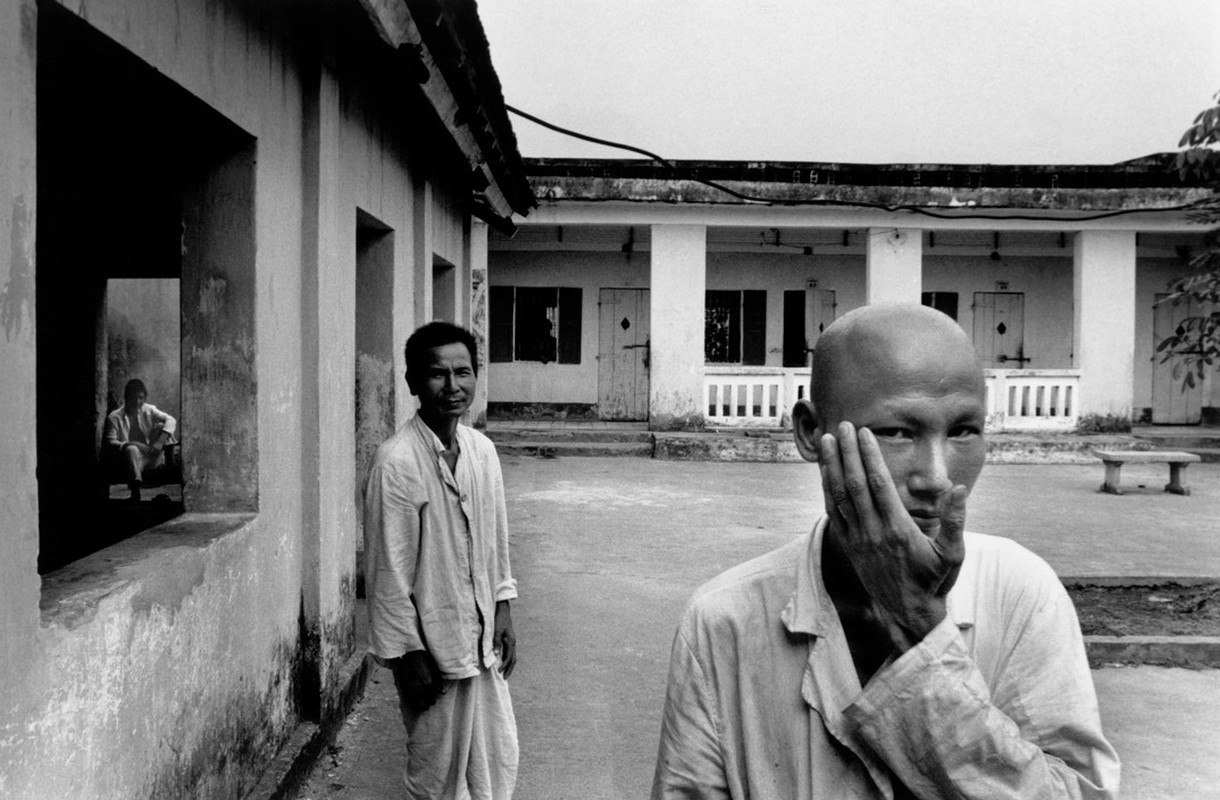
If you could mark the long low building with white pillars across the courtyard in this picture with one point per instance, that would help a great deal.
(695, 291)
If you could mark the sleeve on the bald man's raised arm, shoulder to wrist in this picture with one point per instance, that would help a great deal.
(1036, 734)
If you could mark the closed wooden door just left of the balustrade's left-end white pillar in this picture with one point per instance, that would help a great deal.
(623, 354)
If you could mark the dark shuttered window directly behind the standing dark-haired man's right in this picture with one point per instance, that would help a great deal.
(535, 324)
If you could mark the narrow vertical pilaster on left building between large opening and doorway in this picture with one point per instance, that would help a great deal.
(329, 354)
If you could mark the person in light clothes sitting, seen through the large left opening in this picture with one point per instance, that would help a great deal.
(136, 435)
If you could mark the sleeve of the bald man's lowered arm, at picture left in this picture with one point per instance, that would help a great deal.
(690, 762)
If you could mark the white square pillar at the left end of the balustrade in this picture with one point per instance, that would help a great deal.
(679, 282)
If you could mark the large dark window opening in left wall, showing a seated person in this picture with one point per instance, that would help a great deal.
(145, 266)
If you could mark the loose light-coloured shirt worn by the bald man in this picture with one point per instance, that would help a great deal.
(996, 703)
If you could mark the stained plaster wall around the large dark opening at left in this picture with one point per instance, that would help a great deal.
(174, 664)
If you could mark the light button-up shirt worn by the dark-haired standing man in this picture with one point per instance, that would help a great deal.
(436, 549)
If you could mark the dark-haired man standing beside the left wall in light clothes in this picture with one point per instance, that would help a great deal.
(440, 582)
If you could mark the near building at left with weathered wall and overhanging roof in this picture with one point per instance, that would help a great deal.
(251, 207)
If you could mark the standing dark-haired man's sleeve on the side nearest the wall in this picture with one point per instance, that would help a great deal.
(392, 551)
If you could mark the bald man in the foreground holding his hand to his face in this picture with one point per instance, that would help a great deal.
(886, 654)
